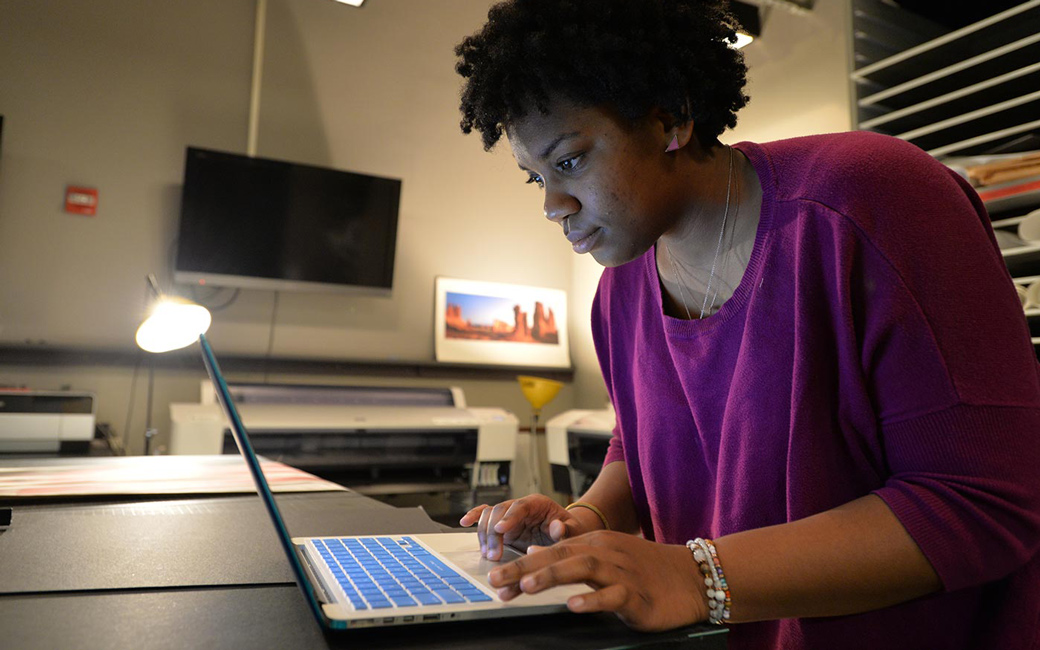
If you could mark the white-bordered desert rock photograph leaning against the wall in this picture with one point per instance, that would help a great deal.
(490, 323)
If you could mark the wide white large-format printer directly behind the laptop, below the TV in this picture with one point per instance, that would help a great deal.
(379, 440)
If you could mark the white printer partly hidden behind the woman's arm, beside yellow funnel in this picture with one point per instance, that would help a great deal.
(578, 443)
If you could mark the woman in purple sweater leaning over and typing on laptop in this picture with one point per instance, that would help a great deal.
(828, 405)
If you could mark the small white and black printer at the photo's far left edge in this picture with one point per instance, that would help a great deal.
(46, 422)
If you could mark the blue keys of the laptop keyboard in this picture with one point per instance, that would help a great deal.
(378, 574)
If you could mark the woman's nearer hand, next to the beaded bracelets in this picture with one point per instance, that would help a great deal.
(652, 587)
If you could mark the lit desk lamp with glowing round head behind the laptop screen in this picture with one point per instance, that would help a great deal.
(173, 323)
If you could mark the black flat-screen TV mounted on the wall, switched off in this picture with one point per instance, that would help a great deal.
(265, 224)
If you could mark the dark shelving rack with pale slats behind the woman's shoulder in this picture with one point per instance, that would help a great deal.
(970, 92)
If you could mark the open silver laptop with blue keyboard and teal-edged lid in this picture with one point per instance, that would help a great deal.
(356, 582)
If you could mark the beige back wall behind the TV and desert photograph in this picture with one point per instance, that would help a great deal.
(109, 93)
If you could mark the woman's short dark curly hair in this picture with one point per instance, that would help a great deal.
(632, 56)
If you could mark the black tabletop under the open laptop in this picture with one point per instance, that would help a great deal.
(210, 574)
